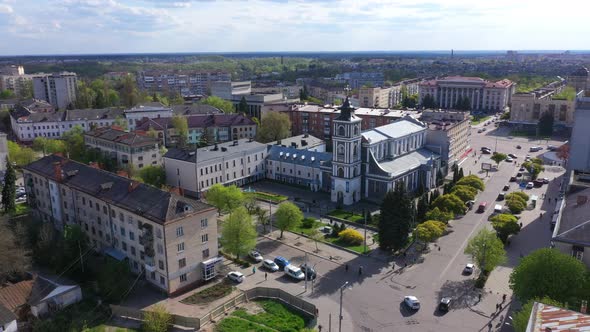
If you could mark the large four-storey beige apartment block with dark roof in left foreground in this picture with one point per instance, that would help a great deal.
(171, 241)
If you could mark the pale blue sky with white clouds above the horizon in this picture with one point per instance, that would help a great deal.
(30, 27)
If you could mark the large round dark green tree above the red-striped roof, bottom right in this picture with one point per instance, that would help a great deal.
(548, 272)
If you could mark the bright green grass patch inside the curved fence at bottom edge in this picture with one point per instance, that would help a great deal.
(275, 316)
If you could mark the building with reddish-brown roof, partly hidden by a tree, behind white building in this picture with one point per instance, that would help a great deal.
(203, 128)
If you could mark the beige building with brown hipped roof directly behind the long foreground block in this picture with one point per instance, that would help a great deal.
(127, 148)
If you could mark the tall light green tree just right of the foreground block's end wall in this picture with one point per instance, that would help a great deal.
(238, 233)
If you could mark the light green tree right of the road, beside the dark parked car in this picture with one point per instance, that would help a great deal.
(486, 250)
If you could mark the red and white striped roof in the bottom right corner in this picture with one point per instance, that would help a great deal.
(546, 317)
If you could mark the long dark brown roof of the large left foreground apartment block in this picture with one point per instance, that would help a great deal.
(146, 201)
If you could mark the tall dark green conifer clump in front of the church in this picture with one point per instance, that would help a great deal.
(396, 219)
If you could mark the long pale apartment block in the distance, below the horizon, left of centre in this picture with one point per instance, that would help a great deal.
(187, 83)
